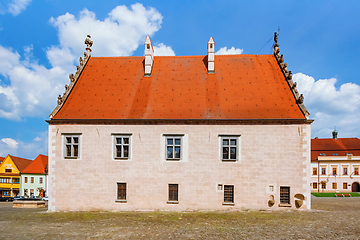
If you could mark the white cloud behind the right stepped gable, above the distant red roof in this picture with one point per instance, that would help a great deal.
(330, 106)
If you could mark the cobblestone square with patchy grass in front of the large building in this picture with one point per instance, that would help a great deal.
(330, 218)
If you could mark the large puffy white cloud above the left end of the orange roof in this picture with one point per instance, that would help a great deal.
(119, 34)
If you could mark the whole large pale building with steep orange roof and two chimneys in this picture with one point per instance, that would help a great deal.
(179, 133)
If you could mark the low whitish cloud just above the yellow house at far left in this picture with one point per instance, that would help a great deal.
(24, 149)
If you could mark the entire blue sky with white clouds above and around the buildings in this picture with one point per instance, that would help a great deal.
(41, 42)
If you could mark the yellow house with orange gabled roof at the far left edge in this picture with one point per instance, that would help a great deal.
(10, 170)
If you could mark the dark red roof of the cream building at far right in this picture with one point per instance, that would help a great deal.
(334, 147)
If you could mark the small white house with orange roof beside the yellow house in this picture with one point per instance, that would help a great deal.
(34, 178)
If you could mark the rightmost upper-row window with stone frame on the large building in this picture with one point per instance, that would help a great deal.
(230, 148)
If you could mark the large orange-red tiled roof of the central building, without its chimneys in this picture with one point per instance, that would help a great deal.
(242, 87)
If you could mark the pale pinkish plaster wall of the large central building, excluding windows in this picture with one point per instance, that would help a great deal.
(277, 155)
